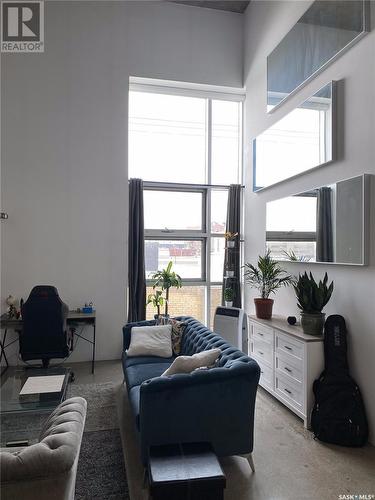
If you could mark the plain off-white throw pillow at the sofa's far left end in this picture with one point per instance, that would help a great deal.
(151, 341)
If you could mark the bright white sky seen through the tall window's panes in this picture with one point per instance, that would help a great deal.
(167, 143)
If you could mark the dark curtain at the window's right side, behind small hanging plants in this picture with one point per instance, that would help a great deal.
(232, 256)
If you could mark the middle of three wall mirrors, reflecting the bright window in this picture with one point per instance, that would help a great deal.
(302, 140)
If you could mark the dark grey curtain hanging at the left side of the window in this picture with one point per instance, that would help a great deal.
(136, 253)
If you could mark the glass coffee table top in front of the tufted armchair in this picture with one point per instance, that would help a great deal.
(12, 402)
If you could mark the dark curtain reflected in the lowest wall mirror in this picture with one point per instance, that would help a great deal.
(324, 236)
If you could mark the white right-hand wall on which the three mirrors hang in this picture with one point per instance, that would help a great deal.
(266, 23)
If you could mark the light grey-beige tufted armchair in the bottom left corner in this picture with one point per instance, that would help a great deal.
(47, 469)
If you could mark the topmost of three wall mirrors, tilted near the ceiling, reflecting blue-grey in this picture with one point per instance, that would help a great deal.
(321, 35)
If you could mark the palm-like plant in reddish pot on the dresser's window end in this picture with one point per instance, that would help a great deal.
(267, 277)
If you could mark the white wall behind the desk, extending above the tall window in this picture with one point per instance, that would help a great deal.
(64, 138)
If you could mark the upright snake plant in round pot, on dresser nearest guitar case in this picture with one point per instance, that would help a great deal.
(311, 298)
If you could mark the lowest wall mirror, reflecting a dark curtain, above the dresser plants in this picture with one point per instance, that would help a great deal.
(327, 224)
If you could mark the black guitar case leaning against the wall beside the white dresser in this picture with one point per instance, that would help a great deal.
(338, 415)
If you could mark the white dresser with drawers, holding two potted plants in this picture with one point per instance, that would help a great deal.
(289, 360)
